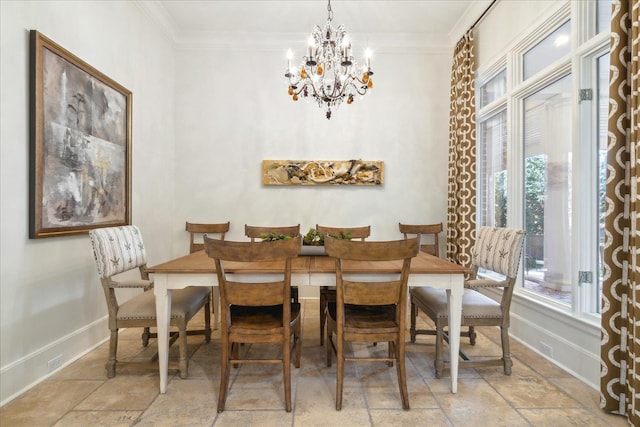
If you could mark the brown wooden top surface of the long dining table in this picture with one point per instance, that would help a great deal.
(199, 263)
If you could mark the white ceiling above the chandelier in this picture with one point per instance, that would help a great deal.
(190, 19)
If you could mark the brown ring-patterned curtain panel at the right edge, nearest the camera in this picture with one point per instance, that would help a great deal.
(620, 350)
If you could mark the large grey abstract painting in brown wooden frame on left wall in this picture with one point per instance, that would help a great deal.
(80, 144)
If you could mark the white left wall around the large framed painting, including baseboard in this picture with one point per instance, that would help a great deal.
(51, 302)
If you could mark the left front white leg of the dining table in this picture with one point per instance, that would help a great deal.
(163, 313)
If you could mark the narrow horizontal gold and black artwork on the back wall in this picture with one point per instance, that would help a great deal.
(322, 172)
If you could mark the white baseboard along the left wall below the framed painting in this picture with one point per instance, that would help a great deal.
(26, 372)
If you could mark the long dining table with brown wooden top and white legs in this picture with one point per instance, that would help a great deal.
(197, 269)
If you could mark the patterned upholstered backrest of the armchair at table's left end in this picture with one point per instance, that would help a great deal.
(117, 249)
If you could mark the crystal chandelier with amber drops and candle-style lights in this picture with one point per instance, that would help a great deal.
(329, 73)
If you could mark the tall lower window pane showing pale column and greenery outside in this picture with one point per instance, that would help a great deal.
(547, 191)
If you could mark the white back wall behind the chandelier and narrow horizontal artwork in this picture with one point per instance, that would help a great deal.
(233, 111)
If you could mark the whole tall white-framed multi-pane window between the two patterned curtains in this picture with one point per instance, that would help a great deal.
(542, 153)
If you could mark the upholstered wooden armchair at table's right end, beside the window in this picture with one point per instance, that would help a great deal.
(496, 251)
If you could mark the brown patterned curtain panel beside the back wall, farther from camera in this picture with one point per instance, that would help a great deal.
(461, 209)
